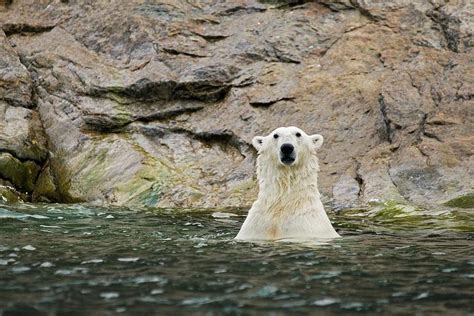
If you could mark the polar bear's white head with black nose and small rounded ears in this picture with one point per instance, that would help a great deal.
(287, 146)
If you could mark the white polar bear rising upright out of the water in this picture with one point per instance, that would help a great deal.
(288, 205)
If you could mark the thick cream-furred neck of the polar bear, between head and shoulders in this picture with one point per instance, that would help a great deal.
(293, 182)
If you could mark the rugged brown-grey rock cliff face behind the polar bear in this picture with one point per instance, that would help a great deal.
(155, 103)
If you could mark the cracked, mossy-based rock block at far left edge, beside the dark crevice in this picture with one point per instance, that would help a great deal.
(22, 141)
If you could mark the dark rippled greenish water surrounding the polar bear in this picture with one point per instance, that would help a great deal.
(57, 259)
